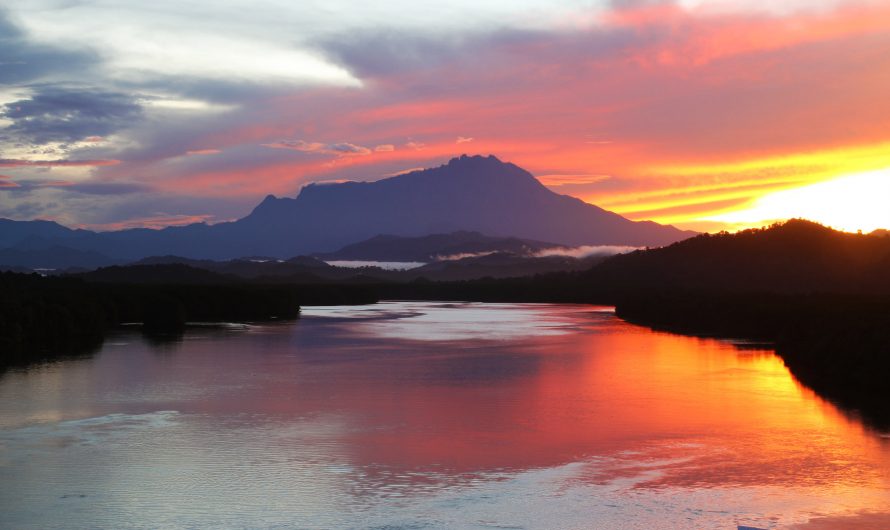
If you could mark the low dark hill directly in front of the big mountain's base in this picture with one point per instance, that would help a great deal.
(433, 247)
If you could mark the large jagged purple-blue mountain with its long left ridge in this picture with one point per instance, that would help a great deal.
(470, 193)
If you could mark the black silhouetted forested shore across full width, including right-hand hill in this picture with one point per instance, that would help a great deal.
(821, 296)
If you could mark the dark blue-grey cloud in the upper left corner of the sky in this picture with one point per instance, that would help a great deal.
(22, 61)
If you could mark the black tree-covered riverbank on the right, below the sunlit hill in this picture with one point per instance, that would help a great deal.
(838, 345)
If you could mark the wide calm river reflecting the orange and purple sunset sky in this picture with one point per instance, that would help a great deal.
(426, 415)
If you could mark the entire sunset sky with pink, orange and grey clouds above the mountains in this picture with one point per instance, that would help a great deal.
(706, 114)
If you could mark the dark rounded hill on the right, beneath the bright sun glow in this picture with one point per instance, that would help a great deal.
(797, 257)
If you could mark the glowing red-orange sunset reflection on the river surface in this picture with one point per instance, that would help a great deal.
(731, 416)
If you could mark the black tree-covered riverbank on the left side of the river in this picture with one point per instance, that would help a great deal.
(42, 318)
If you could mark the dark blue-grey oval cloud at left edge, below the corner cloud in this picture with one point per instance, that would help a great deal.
(54, 114)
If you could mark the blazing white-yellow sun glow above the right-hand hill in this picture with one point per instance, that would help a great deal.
(849, 203)
